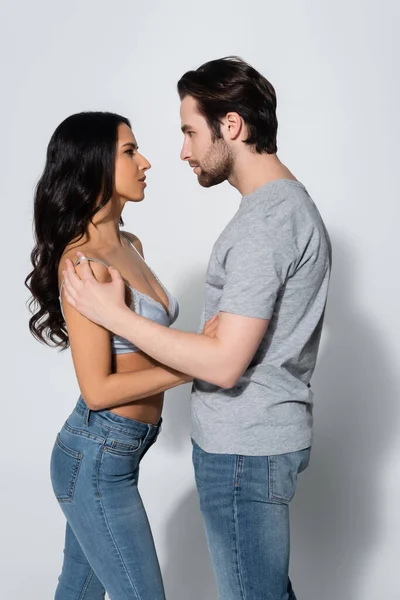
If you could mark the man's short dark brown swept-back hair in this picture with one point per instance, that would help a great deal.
(231, 85)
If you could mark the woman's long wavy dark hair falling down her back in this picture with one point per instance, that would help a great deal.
(77, 182)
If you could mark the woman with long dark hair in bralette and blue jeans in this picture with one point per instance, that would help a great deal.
(93, 169)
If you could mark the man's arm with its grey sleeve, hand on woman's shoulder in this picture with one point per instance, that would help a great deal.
(256, 267)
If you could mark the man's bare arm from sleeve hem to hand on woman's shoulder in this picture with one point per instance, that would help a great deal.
(220, 360)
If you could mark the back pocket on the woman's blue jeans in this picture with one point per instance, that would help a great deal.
(64, 469)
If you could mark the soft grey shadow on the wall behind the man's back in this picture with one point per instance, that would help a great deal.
(335, 520)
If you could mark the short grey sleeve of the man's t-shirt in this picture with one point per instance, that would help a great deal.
(256, 268)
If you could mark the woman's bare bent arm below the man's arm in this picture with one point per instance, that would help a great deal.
(91, 355)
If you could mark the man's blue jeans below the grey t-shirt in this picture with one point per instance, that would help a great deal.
(245, 505)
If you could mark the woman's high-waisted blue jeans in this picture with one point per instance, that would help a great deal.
(94, 473)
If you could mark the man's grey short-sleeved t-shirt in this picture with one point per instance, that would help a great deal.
(272, 261)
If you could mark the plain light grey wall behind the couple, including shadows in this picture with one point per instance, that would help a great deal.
(335, 68)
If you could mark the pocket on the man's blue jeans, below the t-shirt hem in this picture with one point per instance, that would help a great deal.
(283, 472)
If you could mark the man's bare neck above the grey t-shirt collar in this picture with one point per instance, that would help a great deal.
(252, 170)
